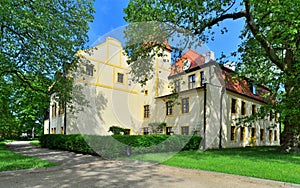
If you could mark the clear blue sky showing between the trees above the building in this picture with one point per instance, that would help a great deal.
(109, 16)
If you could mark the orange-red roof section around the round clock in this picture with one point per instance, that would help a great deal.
(195, 58)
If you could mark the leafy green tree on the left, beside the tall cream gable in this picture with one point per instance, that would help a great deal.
(38, 41)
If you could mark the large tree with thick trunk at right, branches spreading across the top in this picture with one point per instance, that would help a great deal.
(269, 53)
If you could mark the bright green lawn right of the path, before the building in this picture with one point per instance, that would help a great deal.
(259, 162)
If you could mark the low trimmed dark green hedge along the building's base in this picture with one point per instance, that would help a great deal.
(120, 145)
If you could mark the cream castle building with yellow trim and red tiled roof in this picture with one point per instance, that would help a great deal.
(194, 95)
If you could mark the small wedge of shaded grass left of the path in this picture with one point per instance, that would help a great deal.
(12, 161)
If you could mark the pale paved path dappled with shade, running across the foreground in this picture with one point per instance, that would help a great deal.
(89, 171)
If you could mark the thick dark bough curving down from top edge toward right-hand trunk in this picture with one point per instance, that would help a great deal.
(261, 39)
